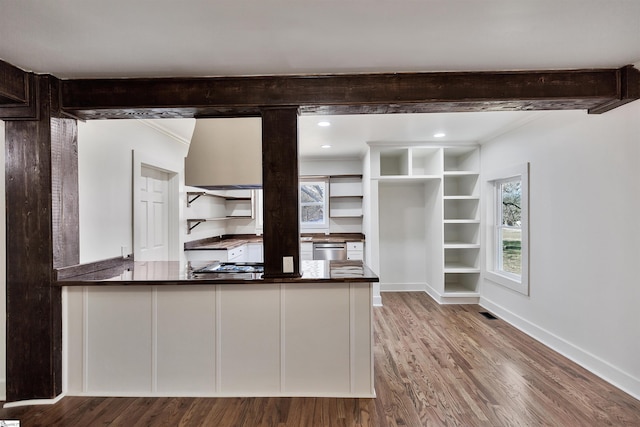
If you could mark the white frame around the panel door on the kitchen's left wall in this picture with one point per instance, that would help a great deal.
(141, 159)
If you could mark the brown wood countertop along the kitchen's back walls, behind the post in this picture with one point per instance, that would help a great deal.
(231, 241)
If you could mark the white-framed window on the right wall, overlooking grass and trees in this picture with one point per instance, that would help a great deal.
(508, 232)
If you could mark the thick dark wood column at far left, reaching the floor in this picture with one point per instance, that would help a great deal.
(42, 233)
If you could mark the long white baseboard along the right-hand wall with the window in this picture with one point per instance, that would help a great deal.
(590, 362)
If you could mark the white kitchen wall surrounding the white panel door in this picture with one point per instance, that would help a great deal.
(105, 181)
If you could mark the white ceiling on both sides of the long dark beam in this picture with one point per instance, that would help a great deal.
(153, 38)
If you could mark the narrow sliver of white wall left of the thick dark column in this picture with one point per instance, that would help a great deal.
(3, 274)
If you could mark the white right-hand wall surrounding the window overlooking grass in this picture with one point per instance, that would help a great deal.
(585, 238)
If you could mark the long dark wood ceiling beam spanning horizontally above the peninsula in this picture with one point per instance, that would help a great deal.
(342, 94)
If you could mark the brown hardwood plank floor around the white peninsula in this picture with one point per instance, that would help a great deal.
(435, 366)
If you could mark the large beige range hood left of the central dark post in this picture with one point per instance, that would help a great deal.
(225, 153)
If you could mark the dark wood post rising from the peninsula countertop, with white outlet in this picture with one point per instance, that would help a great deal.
(280, 186)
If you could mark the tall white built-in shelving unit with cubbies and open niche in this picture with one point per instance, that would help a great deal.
(450, 228)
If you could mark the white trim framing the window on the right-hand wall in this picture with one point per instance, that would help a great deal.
(493, 180)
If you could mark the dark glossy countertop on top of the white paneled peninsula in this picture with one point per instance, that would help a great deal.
(177, 273)
